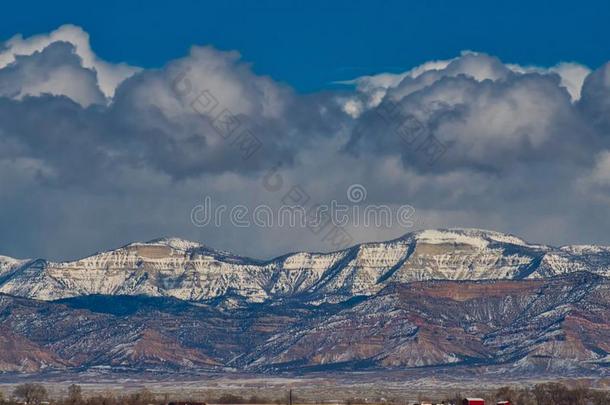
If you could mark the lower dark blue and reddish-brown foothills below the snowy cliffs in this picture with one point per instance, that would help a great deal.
(559, 326)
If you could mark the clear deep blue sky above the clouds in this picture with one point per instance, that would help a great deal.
(309, 44)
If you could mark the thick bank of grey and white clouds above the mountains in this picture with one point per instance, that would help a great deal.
(95, 154)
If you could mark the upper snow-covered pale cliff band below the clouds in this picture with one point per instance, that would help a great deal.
(191, 271)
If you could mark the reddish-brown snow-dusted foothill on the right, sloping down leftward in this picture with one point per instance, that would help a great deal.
(448, 322)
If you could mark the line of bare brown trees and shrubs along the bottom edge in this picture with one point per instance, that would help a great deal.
(540, 394)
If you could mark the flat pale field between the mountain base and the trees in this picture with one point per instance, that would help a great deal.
(391, 387)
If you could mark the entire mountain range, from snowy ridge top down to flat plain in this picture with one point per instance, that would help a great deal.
(455, 299)
